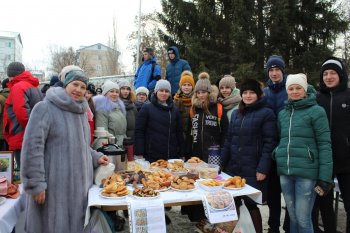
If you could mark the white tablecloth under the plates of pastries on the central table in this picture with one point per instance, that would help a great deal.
(170, 196)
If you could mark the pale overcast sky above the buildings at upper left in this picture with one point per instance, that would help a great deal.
(45, 23)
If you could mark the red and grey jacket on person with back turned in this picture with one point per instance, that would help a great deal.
(24, 94)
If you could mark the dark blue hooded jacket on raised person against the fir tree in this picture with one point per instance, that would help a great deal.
(174, 70)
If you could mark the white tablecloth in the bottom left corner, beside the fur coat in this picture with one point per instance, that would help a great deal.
(10, 211)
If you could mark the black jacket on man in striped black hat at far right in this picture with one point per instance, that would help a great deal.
(336, 102)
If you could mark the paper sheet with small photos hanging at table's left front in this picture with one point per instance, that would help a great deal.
(147, 216)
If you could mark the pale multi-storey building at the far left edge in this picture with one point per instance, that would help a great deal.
(10, 50)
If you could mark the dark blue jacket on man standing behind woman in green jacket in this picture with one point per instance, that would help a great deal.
(275, 95)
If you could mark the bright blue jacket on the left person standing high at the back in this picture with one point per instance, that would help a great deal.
(143, 76)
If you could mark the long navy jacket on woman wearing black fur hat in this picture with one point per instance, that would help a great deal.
(249, 143)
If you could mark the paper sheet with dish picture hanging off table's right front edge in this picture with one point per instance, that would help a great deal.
(219, 207)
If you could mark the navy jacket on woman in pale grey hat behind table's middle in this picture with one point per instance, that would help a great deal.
(158, 131)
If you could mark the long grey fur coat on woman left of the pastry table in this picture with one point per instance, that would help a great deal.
(57, 158)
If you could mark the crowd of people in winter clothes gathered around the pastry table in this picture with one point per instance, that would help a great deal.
(284, 137)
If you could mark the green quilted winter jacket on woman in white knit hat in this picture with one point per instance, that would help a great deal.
(305, 146)
